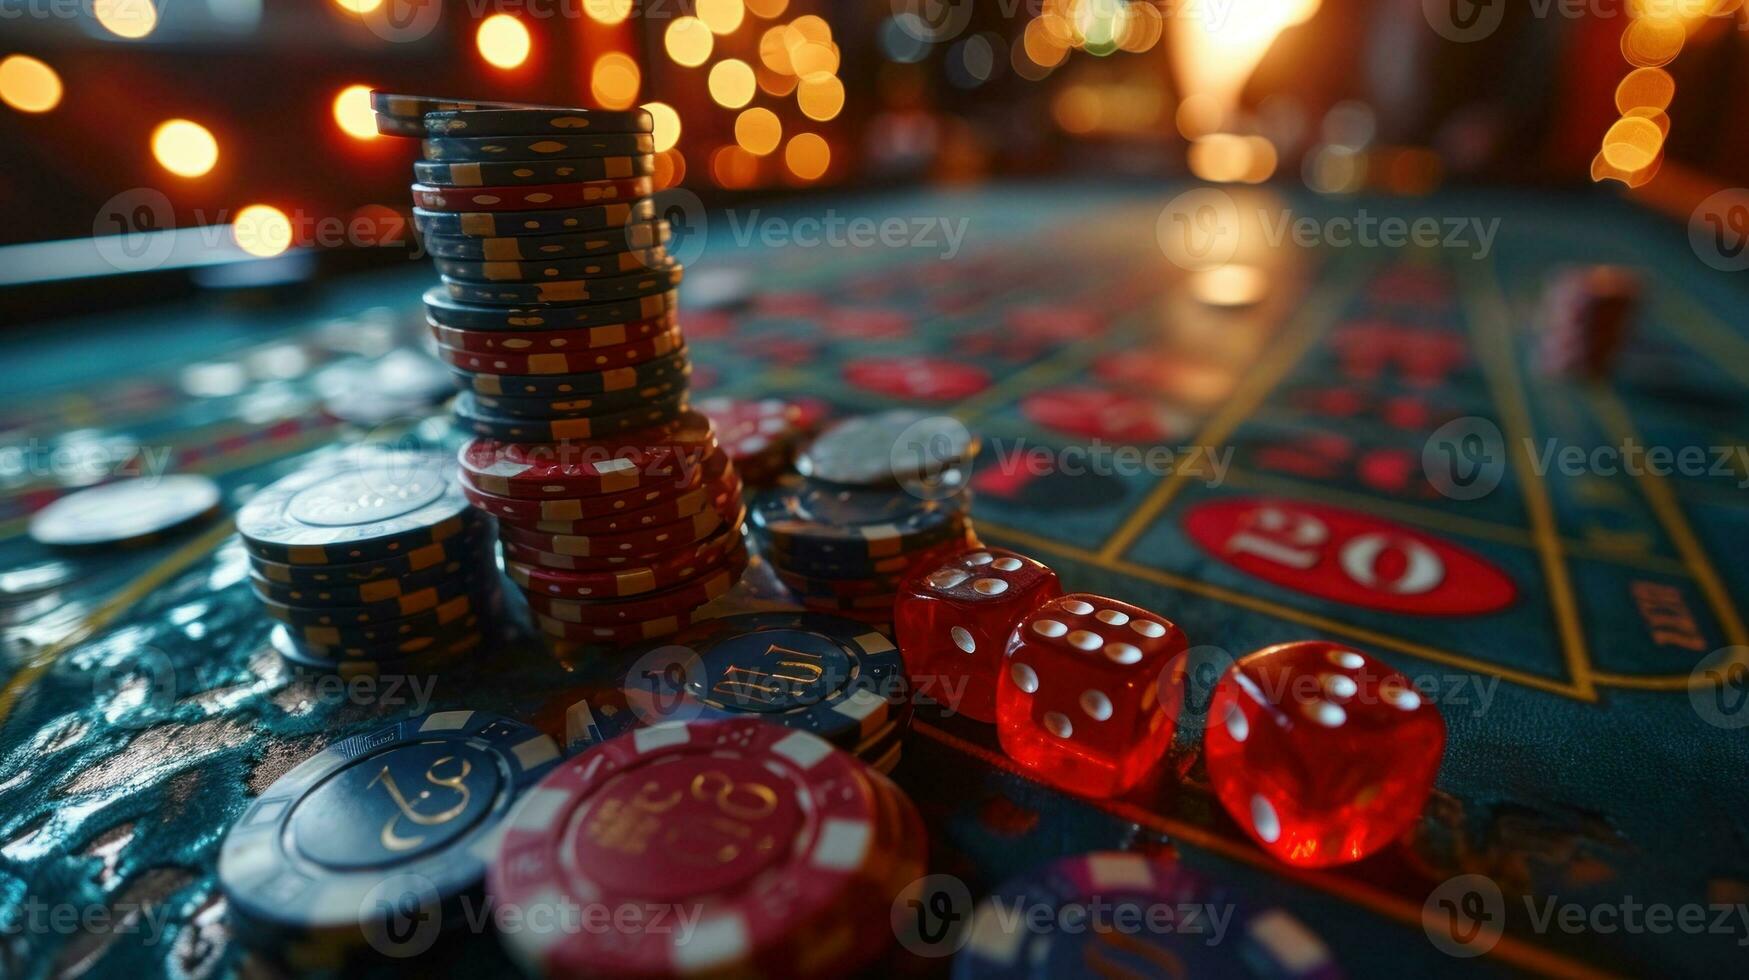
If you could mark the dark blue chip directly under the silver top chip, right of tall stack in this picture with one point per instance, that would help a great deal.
(851, 526)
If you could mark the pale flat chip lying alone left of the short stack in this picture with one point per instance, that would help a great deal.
(129, 512)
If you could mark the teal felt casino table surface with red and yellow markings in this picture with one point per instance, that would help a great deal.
(1578, 631)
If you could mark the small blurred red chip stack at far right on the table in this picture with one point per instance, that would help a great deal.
(1587, 314)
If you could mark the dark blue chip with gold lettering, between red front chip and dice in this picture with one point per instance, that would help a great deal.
(825, 675)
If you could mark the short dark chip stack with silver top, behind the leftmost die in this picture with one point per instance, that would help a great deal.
(875, 496)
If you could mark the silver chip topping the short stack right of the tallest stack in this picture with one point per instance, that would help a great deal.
(895, 447)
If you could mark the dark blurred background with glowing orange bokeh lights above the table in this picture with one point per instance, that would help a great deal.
(256, 113)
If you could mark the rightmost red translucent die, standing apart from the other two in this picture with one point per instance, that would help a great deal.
(1320, 752)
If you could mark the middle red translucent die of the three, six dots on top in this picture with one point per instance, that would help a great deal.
(1089, 697)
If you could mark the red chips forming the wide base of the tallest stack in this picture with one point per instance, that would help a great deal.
(615, 540)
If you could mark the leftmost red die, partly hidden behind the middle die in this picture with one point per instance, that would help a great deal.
(954, 619)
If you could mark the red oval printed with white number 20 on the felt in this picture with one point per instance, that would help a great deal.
(1348, 557)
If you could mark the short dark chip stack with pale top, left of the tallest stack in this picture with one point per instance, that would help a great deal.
(372, 564)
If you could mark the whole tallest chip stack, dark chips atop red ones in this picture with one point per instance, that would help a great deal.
(557, 312)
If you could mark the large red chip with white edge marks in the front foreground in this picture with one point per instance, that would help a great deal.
(818, 820)
